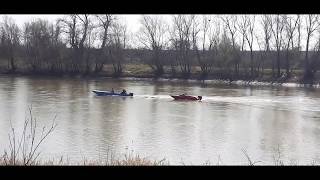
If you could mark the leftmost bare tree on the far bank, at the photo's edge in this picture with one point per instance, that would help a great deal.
(10, 40)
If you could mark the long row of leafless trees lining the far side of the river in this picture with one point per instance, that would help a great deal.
(226, 46)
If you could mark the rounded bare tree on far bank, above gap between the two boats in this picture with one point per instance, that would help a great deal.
(153, 36)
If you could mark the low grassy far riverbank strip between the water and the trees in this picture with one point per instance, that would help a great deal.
(144, 72)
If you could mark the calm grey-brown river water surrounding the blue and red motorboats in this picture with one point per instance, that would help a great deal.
(229, 119)
